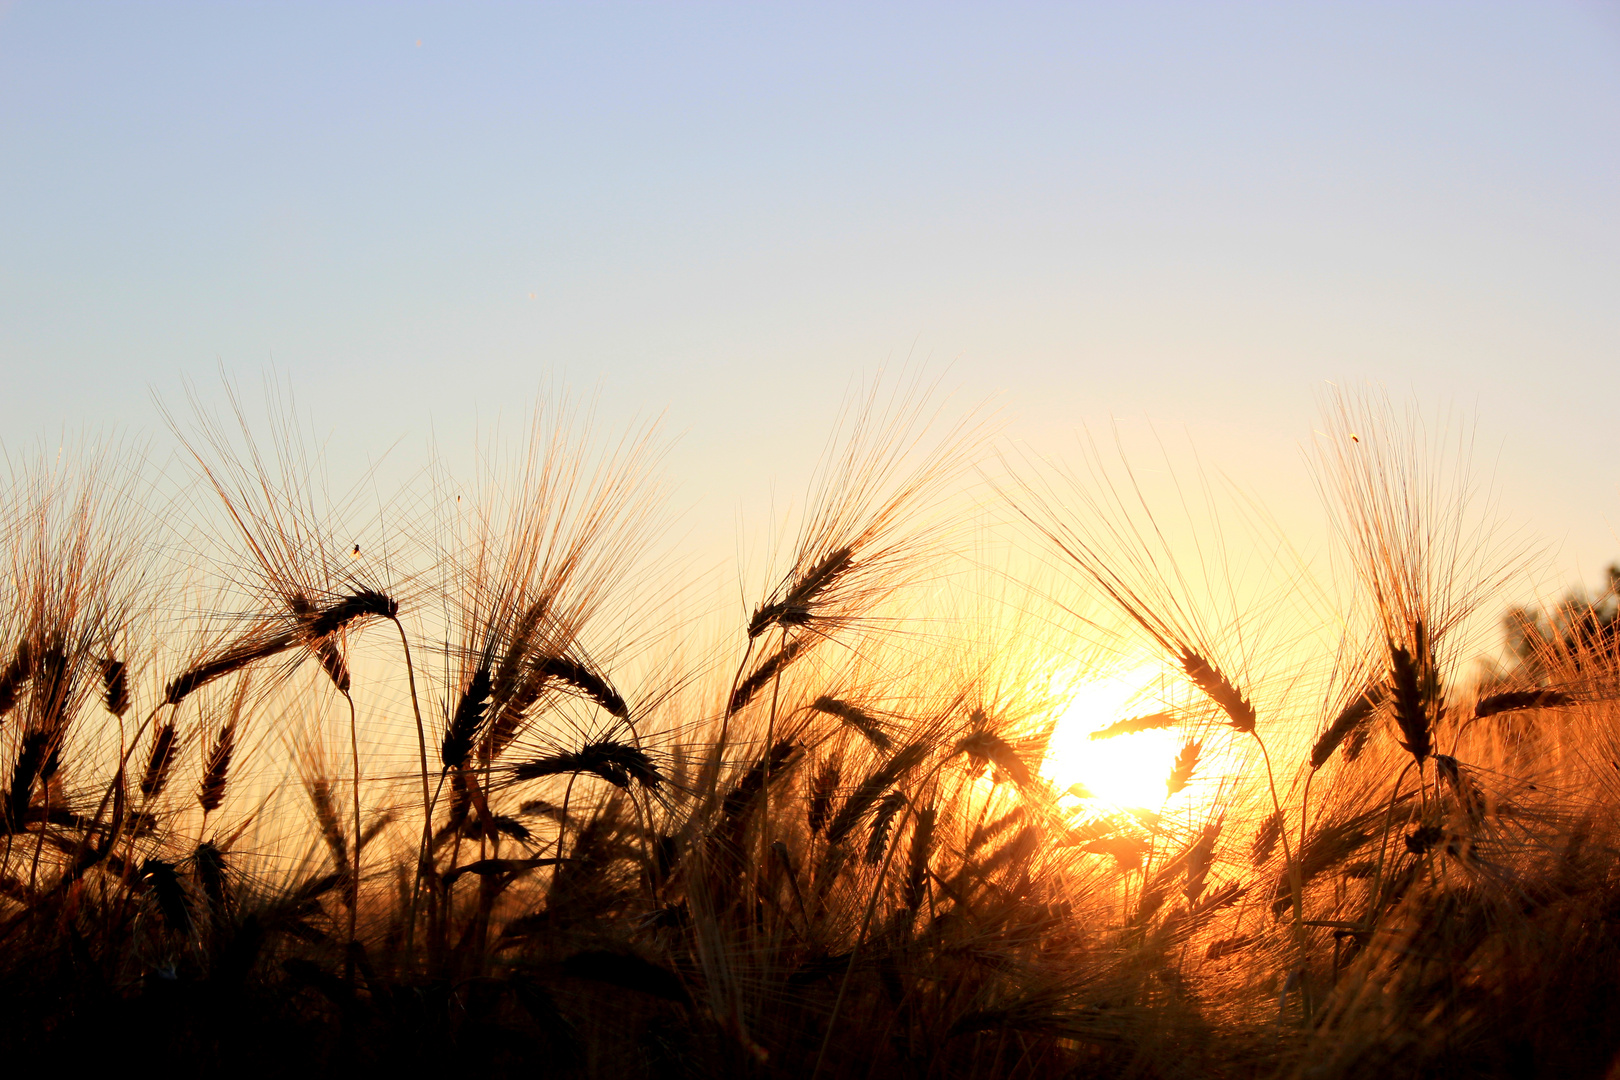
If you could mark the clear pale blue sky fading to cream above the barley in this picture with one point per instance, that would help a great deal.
(1188, 218)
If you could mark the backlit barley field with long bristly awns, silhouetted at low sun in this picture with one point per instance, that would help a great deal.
(1002, 767)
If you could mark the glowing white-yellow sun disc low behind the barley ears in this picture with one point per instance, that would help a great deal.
(1127, 772)
